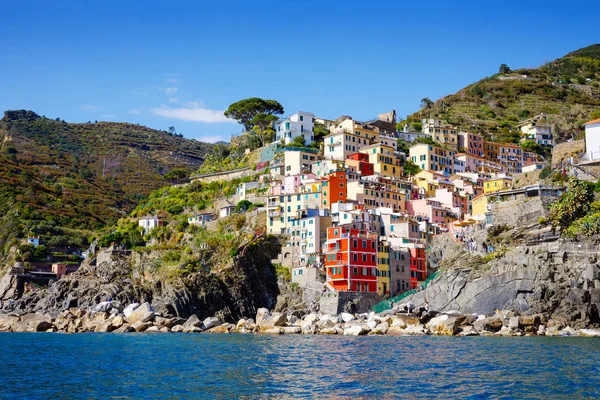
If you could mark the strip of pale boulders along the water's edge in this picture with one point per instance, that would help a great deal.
(107, 317)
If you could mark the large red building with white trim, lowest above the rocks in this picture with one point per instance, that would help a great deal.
(351, 259)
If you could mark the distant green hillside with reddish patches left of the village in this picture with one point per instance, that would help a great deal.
(59, 178)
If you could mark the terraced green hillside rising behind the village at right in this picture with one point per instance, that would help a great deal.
(567, 88)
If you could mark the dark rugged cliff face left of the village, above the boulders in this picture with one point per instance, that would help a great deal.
(235, 292)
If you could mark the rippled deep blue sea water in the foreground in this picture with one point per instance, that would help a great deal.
(257, 366)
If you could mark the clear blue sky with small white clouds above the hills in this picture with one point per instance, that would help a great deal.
(161, 63)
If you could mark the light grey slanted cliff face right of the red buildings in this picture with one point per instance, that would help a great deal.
(538, 273)
